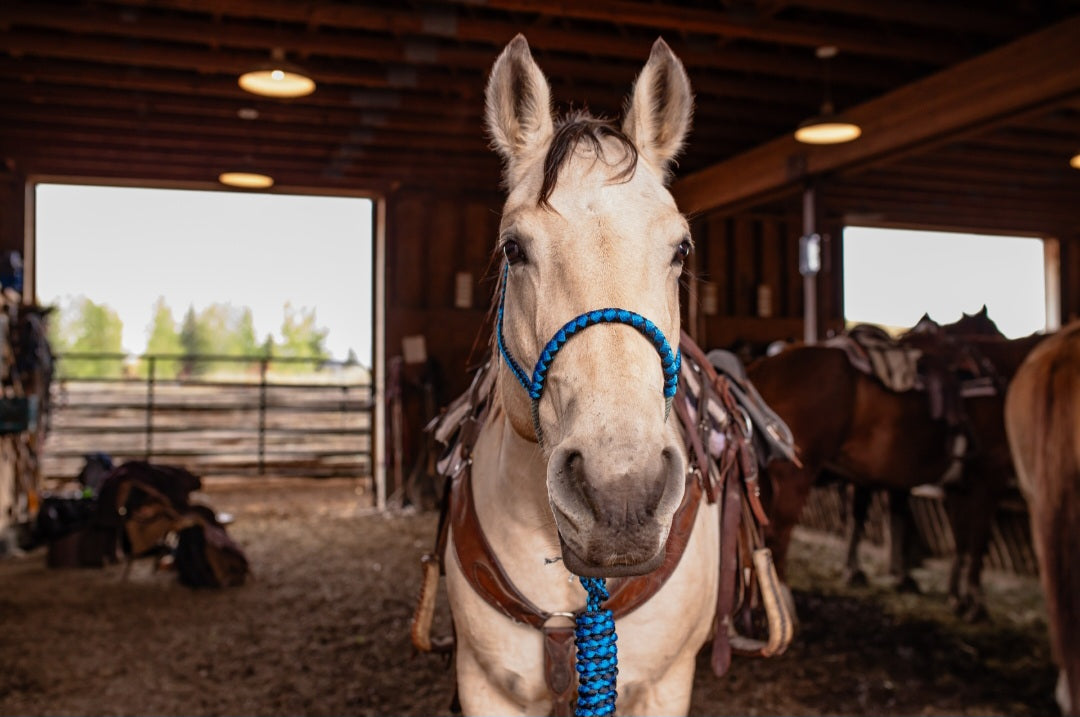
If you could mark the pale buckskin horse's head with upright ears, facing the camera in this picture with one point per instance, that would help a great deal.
(589, 225)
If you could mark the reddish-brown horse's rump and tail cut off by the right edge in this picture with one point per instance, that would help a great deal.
(1043, 418)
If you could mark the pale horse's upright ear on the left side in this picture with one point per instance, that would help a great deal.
(518, 104)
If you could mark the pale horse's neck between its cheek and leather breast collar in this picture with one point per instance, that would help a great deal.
(509, 482)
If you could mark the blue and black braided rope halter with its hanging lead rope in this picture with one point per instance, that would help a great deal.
(595, 637)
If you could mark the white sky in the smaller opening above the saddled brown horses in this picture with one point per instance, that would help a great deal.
(893, 277)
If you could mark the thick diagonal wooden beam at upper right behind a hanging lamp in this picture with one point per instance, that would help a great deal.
(1010, 80)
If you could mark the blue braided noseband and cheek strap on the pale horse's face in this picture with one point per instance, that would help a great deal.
(670, 360)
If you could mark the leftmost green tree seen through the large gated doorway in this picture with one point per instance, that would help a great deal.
(89, 328)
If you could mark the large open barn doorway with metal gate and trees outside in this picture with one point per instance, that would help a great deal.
(229, 332)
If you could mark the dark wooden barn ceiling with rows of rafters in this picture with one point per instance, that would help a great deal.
(146, 90)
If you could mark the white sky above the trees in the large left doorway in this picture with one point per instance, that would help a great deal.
(125, 248)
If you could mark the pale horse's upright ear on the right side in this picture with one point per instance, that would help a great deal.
(660, 109)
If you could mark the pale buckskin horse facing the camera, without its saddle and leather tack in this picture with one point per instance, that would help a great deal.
(584, 479)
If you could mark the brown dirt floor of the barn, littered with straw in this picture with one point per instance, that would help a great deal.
(323, 630)
